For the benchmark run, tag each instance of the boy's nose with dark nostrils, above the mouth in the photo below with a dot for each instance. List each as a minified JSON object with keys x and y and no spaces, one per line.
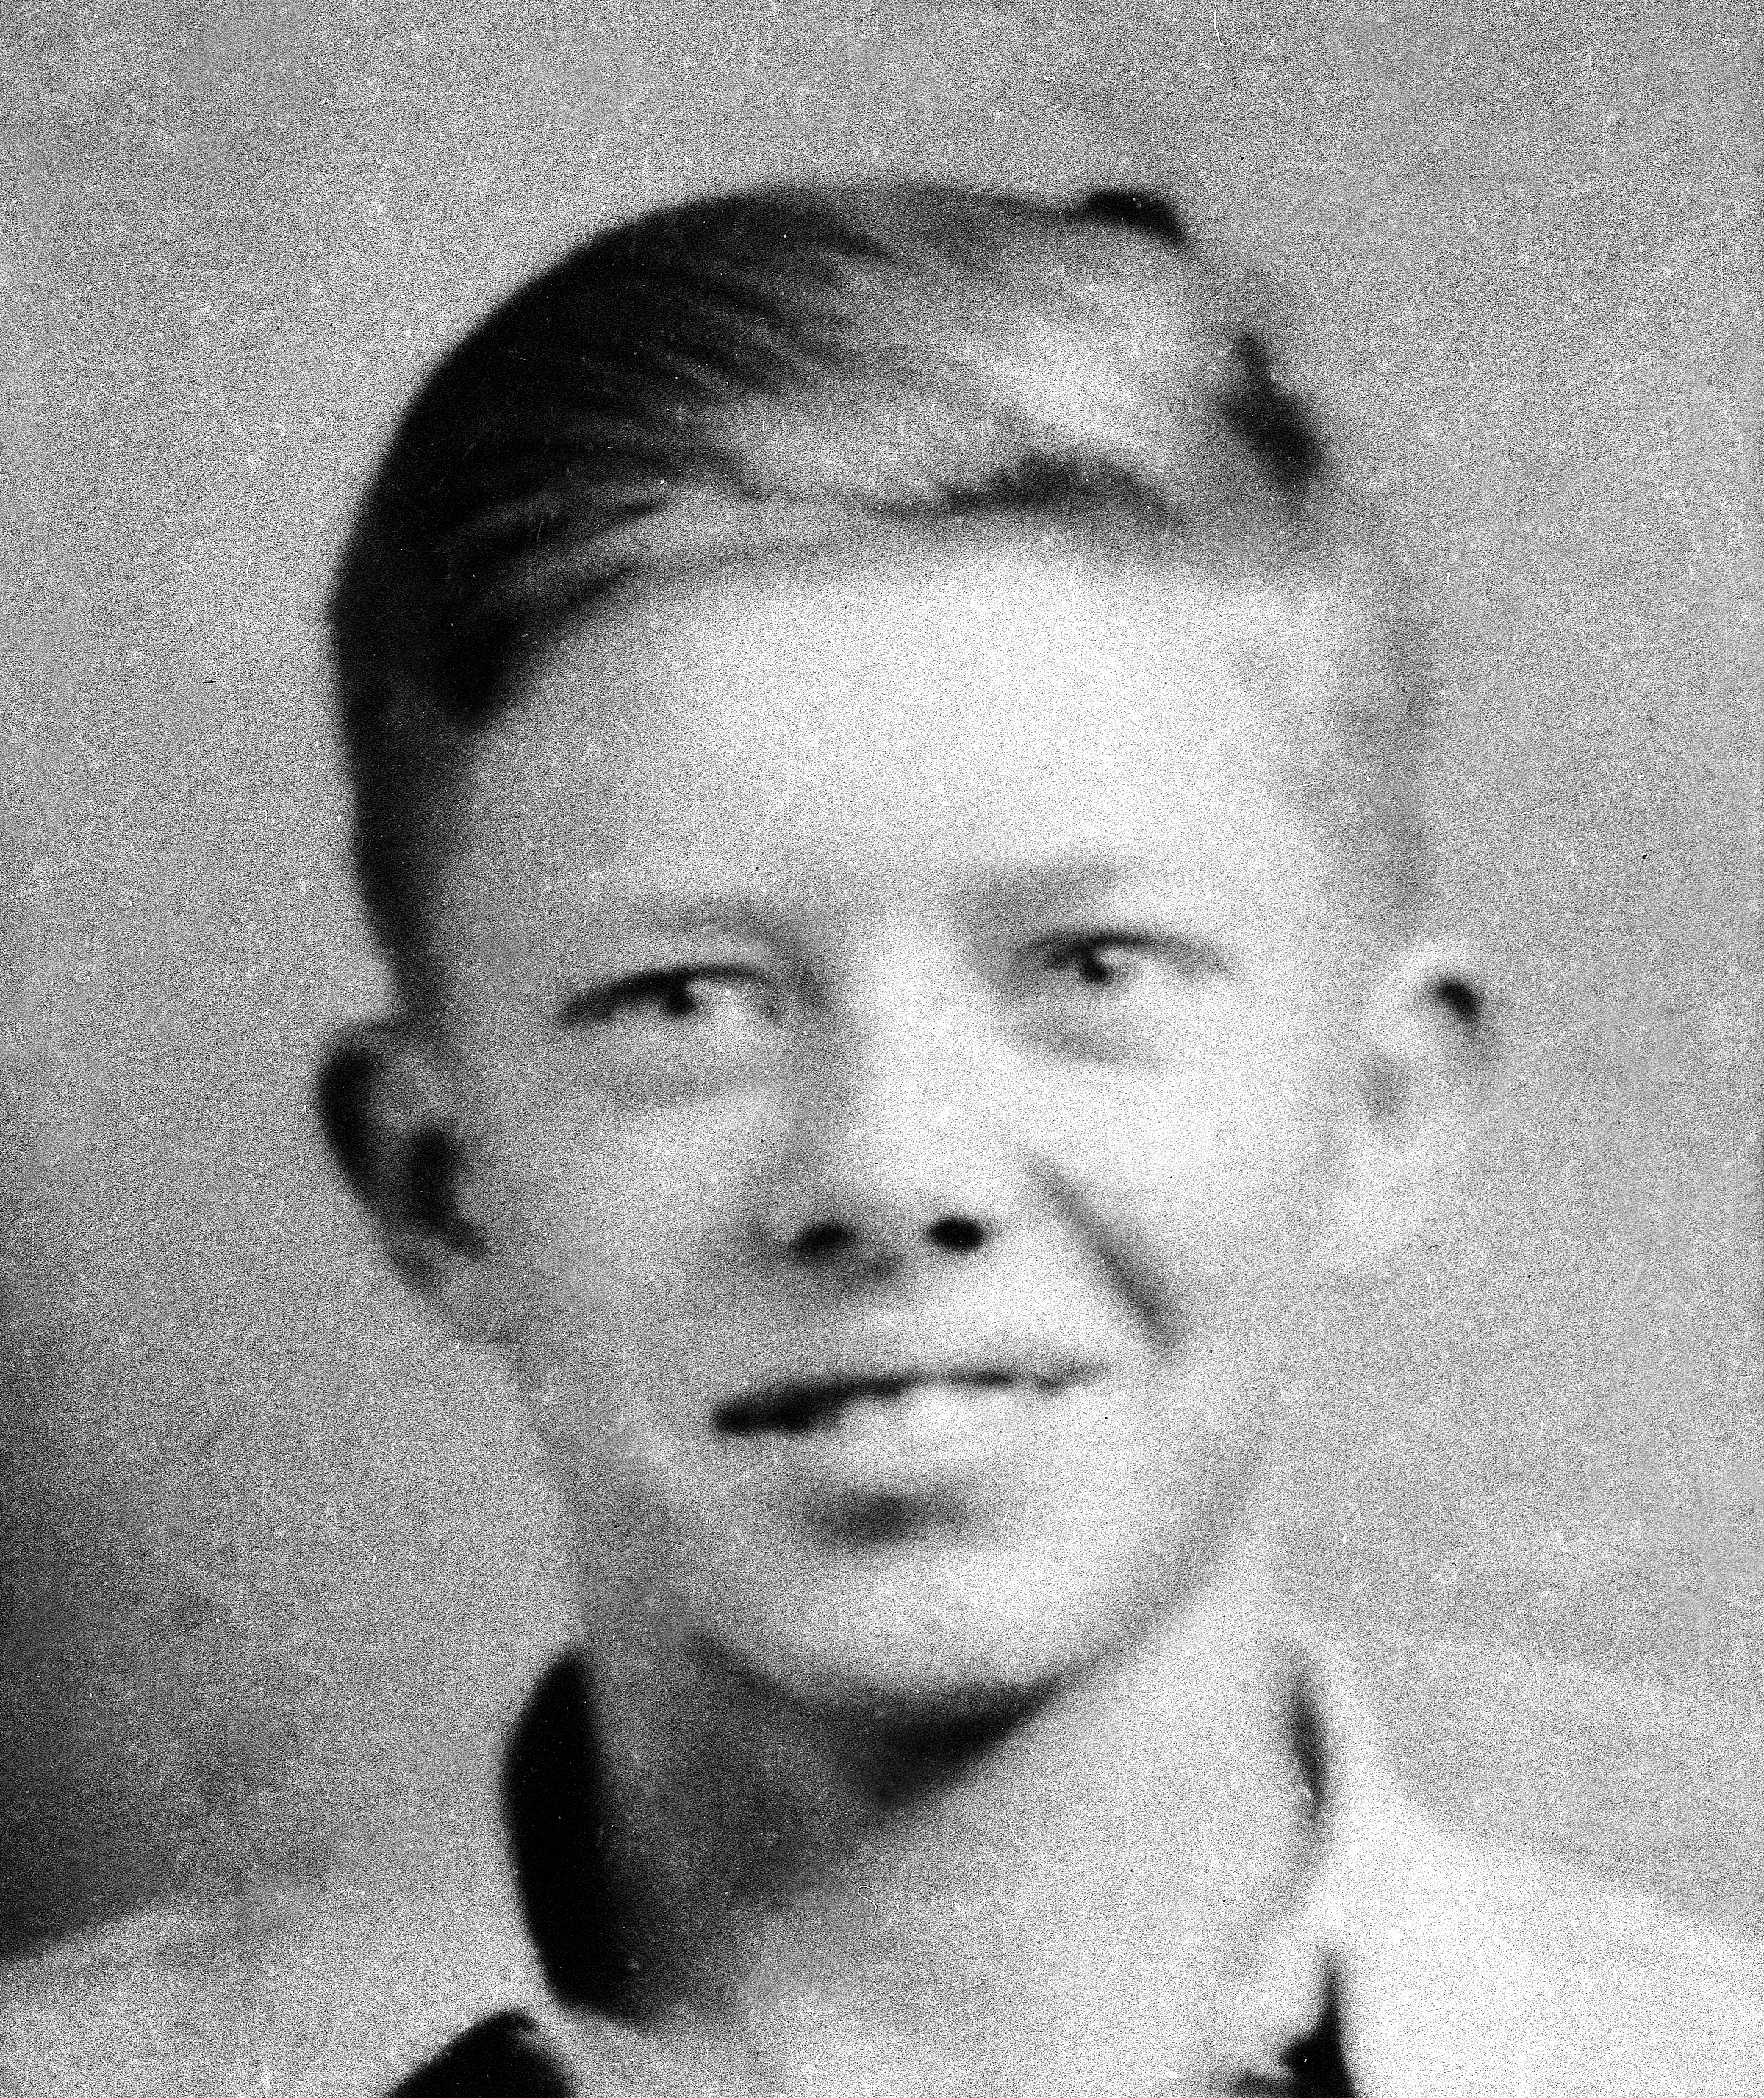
{"x":890,"y":1151}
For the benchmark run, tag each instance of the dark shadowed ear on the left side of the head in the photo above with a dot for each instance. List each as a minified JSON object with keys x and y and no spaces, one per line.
{"x":391,"y":1113}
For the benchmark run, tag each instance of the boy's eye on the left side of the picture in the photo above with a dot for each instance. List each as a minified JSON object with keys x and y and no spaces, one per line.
{"x":679,"y":1025}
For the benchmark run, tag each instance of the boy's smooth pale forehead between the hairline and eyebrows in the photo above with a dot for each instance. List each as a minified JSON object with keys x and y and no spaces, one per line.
{"x":926,"y":706}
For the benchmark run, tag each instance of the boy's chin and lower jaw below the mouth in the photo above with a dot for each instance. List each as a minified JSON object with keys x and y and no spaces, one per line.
{"x":941,"y":1600}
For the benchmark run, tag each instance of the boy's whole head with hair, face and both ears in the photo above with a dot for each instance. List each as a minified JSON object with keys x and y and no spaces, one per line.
{"x":886,"y":775}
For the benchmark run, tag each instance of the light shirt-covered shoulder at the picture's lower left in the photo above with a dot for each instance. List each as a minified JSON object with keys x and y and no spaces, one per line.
{"x":286,"y":1992}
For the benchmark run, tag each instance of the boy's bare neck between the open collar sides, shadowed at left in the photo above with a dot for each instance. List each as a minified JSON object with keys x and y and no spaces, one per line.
{"x":832,"y":1912}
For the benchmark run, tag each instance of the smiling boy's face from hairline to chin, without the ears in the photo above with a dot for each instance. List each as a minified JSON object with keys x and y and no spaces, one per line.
{"x":903,"y":1042}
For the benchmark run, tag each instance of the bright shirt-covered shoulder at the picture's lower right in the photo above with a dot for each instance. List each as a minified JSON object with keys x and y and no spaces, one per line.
{"x":1473,"y":1967}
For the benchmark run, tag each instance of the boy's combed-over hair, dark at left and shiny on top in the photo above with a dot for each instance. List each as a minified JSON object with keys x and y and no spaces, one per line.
{"x":775,"y":366}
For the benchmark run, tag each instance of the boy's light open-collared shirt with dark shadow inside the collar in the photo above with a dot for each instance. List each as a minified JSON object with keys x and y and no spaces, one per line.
{"x":1415,"y":1965}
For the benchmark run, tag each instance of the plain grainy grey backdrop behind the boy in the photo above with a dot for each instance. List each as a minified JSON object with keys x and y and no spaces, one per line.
{"x":276,"y":1566}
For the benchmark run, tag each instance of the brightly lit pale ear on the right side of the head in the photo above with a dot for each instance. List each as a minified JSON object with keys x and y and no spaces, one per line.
{"x":1423,"y":1054}
